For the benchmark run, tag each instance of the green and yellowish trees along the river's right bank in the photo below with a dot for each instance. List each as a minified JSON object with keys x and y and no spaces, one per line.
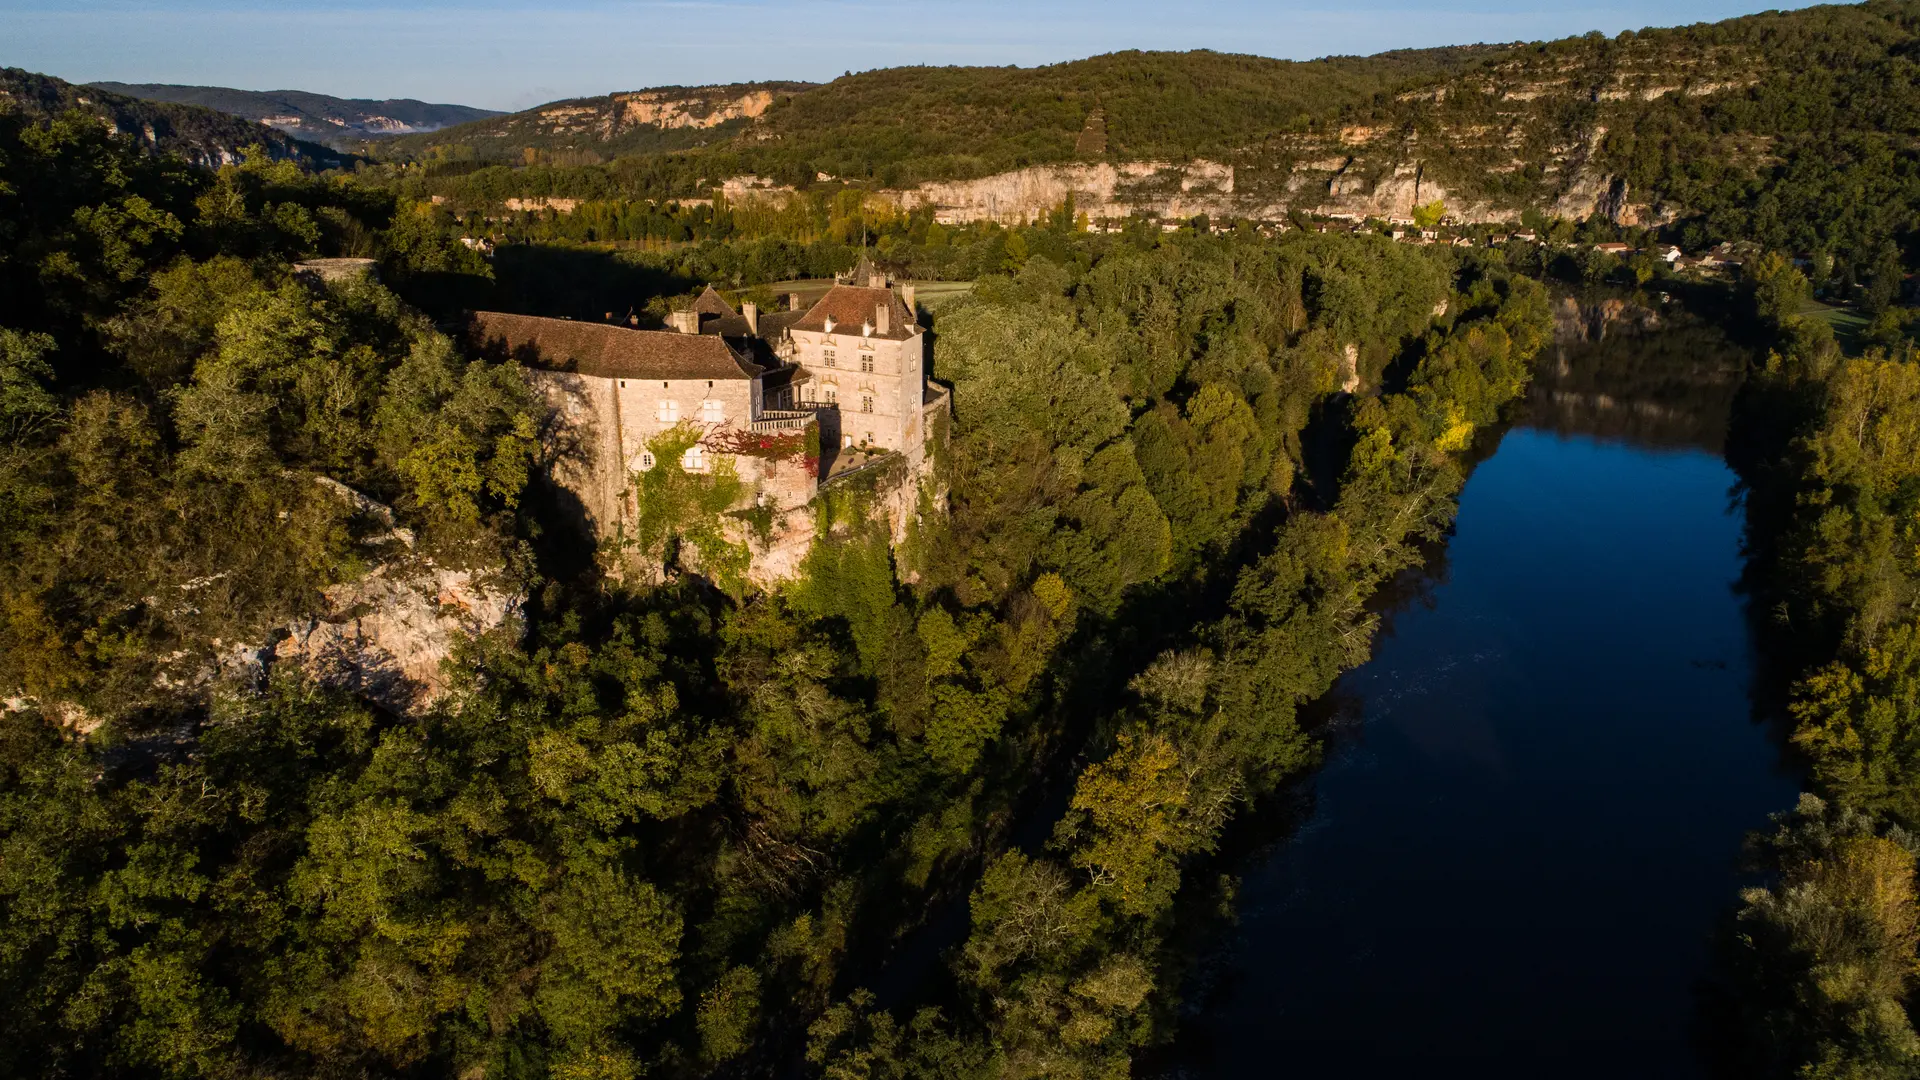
{"x":1821,"y":958}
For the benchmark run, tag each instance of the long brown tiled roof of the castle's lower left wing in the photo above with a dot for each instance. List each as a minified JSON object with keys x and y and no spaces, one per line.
{"x":606,"y":351}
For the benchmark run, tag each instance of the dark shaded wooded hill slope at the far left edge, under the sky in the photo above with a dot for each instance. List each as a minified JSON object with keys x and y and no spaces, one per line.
{"x":197,"y":134}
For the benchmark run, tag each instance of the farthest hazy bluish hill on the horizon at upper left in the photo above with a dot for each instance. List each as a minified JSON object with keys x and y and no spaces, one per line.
{"x":320,"y":118}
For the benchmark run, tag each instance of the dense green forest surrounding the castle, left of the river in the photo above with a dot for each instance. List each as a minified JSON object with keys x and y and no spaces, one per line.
{"x":665,"y":829}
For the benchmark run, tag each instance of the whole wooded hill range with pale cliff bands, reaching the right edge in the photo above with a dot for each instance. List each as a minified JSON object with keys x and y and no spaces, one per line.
{"x":1758,"y":126}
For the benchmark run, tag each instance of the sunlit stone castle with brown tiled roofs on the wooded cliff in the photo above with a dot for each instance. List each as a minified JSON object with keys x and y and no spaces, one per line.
{"x":790,"y":399}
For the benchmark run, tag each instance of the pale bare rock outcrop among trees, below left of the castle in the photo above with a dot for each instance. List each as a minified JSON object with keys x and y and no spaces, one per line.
{"x":387,"y":637}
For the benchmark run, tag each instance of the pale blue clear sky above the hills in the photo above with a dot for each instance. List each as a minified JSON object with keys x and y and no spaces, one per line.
{"x":514,"y":55}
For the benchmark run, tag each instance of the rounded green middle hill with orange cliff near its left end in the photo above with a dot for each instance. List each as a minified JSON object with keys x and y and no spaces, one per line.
{"x":913,"y":124}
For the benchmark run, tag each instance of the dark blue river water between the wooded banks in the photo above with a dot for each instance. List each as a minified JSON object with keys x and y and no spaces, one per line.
{"x":1531,"y":812}
